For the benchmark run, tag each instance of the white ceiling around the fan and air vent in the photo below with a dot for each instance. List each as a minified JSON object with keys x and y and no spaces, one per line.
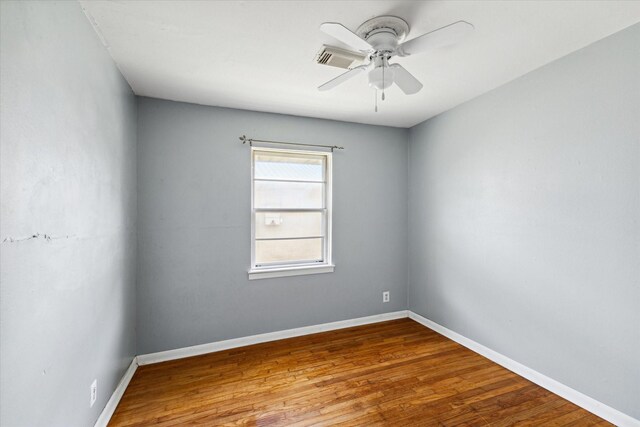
{"x":260,"y":55}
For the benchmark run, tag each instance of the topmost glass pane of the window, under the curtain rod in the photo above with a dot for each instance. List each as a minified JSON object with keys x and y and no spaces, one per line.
{"x":297,"y":167}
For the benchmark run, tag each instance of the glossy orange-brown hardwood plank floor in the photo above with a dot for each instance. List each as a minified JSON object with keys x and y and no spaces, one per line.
{"x":395,"y":373}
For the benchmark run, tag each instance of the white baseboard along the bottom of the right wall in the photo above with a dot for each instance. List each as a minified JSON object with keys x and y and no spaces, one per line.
{"x":598,"y":408}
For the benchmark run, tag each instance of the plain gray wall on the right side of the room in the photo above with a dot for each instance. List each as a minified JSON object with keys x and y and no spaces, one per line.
{"x":524,"y":220}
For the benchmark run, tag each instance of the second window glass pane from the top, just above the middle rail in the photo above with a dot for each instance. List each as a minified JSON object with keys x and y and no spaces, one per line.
{"x":292,"y":195}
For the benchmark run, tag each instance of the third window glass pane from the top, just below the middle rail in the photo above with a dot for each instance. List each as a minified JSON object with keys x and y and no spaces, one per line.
{"x":288,"y":224}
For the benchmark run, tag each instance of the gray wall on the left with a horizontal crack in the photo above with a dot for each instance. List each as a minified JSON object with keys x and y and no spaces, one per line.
{"x":68,"y":159}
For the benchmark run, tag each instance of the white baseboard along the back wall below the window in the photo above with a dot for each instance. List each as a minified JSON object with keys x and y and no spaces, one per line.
{"x":196,"y":350}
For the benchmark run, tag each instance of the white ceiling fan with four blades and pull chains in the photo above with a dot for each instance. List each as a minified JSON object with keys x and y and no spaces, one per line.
{"x":379,"y":39}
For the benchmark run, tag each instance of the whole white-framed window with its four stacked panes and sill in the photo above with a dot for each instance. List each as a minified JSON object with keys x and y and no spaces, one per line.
{"x":291,"y":212}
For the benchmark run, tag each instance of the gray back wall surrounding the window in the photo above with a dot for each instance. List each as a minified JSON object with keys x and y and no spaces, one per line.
{"x":194,"y":216}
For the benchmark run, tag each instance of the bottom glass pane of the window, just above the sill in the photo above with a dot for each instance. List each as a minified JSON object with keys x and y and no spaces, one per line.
{"x":274,"y":251}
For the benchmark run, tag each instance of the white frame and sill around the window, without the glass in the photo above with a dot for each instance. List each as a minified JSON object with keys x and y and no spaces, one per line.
{"x":295,"y":268}
